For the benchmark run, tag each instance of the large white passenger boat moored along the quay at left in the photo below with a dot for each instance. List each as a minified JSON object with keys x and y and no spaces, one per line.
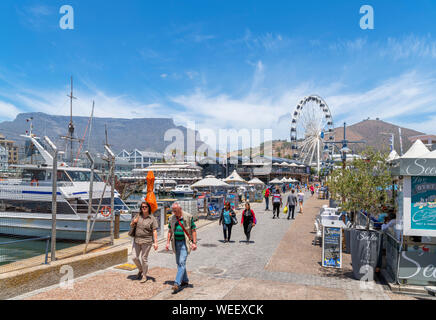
{"x":26,"y":201}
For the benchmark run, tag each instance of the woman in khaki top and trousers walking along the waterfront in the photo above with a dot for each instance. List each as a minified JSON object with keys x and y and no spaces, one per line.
{"x":144,"y":229}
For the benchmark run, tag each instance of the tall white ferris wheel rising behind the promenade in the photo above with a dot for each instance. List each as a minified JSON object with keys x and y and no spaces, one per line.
{"x":311,"y":128}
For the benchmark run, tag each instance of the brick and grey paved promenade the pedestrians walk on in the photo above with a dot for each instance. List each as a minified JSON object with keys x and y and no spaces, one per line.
{"x":280,"y":262}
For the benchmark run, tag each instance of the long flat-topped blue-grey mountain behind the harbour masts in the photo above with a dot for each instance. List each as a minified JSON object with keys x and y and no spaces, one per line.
{"x":143,"y":134}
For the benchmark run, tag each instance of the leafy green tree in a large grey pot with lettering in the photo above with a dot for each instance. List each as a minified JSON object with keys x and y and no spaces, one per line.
{"x":362,"y":187}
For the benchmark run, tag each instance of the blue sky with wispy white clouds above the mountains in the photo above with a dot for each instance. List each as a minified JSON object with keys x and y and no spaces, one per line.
{"x":223,"y":64}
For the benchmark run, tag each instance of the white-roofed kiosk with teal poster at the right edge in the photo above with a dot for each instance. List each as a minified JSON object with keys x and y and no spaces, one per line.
{"x":411,"y":241}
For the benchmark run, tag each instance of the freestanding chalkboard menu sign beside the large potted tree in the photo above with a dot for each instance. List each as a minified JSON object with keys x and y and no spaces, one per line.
{"x":332,"y":247}
